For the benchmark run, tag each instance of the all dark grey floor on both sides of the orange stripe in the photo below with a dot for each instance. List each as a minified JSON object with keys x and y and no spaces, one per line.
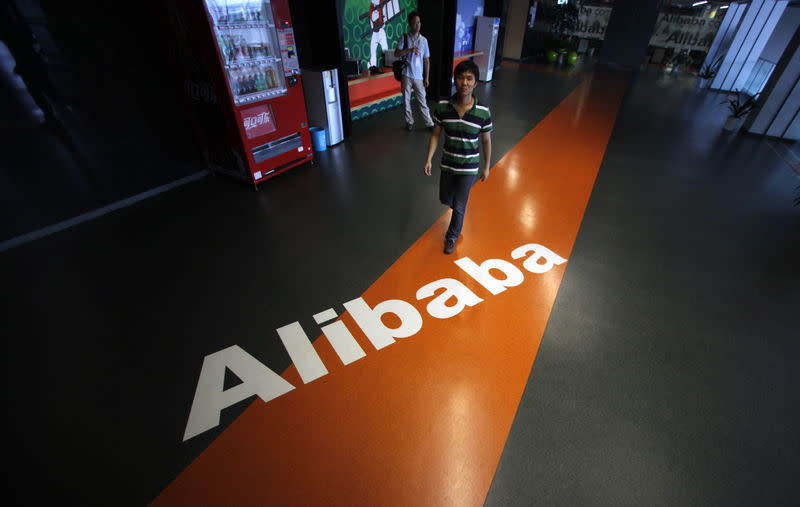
{"x":664,"y":377}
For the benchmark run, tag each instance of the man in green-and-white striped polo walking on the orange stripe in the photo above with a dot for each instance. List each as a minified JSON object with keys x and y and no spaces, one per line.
{"x":467,"y":124}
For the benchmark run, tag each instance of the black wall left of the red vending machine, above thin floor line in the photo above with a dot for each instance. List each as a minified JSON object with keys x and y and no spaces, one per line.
{"x":113,"y":123}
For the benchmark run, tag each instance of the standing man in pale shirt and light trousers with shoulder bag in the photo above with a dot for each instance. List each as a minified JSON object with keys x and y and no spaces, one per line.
{"x":413,"y":46}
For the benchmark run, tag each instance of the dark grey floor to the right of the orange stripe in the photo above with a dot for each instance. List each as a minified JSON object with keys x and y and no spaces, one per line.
{"x":668,"y":373}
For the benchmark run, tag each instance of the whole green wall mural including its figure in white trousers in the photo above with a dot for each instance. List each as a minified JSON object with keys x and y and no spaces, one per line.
{"x":373,"y":26}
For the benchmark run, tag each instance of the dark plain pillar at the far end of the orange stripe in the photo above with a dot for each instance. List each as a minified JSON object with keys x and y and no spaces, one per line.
{"x":629,"y":30}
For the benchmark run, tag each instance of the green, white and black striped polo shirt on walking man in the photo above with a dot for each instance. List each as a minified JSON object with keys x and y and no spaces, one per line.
{"x":462,"y":135}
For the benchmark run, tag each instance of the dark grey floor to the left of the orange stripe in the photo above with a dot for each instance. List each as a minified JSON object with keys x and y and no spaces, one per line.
{"x":109,"y":321}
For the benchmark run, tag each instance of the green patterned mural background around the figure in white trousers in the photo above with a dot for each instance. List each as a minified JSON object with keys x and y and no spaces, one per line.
{"x":358,"y":31}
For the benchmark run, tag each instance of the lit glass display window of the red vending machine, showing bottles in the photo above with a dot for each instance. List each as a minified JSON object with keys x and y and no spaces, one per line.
{"x":247,"y":40}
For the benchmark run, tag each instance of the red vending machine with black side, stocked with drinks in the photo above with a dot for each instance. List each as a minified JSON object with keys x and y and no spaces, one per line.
{"x":241,"y":78}
